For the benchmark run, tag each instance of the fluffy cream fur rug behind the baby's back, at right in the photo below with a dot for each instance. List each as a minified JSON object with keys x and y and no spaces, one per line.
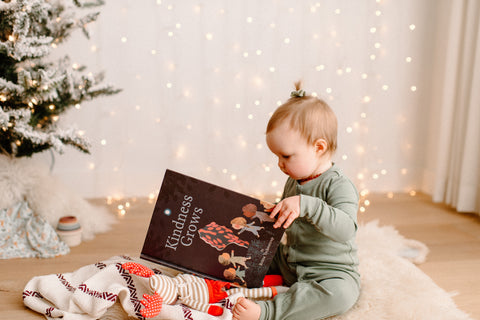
{"x":393,"y":288}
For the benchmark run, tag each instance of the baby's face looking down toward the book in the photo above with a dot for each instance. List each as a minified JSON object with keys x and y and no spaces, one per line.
{"x":296,"y":157}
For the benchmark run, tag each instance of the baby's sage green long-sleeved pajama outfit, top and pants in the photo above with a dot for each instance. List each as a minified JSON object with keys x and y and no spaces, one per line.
{"x":319,"y":261}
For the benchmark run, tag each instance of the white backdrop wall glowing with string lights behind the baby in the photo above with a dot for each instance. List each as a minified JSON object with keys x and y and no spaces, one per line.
{"x":201,"y":78}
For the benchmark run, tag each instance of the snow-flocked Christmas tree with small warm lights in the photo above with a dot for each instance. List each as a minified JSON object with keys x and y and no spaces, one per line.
{"x":34,"y":92}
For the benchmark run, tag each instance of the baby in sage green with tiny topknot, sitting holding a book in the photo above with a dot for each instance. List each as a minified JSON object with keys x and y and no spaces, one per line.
{"x":319,"y":212}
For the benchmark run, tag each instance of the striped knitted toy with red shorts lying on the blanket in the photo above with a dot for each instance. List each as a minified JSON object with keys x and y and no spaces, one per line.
{"x":192,"y":291}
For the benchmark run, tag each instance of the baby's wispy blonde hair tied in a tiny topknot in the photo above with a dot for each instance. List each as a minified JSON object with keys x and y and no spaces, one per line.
{"x":311,"y":116}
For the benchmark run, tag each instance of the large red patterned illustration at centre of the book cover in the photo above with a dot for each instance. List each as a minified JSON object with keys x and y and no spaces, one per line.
{"x":220,"y":237}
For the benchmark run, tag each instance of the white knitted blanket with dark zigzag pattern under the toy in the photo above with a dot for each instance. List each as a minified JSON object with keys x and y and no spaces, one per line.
{"x":89,"y":292}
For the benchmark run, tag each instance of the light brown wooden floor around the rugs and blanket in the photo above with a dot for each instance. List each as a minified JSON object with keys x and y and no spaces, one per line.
{"x":453,"y":238}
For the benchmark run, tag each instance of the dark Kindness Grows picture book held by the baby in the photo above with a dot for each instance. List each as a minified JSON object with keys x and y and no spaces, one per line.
{"x":207,"y":230}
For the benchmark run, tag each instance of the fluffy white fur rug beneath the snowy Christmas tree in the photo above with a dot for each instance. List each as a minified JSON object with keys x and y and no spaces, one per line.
{"x":25,"y":178}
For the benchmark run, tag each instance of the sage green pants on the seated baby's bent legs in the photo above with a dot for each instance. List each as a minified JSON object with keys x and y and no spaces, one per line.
{"x":311,"y":296}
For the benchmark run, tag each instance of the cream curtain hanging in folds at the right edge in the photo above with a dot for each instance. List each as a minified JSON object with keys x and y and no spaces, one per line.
{"x":453,"y":169}
